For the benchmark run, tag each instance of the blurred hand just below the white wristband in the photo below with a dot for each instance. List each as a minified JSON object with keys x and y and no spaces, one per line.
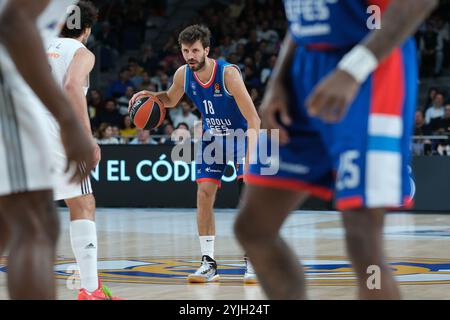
{"x":332,"y":96}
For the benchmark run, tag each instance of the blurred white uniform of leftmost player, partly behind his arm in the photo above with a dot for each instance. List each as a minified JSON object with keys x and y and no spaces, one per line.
{"x":24,"y":144}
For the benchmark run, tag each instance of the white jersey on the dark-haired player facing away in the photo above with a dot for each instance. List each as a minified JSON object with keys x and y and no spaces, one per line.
{"x":61,"y":52}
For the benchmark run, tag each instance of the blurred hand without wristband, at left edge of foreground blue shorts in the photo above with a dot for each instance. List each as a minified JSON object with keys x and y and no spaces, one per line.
{"x":275,"y":102}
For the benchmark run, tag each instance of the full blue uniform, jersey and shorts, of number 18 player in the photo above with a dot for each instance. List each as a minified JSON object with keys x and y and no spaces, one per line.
{"x":222,"y":119}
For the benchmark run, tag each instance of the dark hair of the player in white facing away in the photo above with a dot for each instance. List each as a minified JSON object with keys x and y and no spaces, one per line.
{"x":88,"y":16}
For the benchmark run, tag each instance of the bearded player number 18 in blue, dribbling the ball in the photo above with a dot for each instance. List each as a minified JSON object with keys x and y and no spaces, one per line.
{"x":217,"y":89}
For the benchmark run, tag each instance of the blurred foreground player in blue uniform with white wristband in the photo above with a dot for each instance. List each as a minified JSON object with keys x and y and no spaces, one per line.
{"x":343,"y":97}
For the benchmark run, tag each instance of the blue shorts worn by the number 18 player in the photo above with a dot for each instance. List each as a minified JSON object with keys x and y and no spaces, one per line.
{"x":212,"y":170}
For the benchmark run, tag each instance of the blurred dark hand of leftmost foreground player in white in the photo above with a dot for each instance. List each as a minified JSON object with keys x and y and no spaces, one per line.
{"x":80,"y":150}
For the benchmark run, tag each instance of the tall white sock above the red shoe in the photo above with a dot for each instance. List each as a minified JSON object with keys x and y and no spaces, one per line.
{"x":83,"y":237}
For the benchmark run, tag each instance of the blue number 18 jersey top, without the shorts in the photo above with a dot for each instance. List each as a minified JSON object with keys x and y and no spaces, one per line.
{"x":220,"y":112}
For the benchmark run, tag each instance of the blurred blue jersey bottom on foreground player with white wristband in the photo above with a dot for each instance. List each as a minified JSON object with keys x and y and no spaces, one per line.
{"x":330,"y":23}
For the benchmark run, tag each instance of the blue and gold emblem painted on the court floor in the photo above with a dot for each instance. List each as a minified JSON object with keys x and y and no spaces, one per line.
{"x":319,"y":271}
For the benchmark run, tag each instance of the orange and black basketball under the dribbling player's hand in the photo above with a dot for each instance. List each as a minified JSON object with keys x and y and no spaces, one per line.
{"x":147,"y":113}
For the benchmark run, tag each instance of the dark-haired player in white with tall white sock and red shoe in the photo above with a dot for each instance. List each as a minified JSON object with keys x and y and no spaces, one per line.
{"x":71,"y":63}
